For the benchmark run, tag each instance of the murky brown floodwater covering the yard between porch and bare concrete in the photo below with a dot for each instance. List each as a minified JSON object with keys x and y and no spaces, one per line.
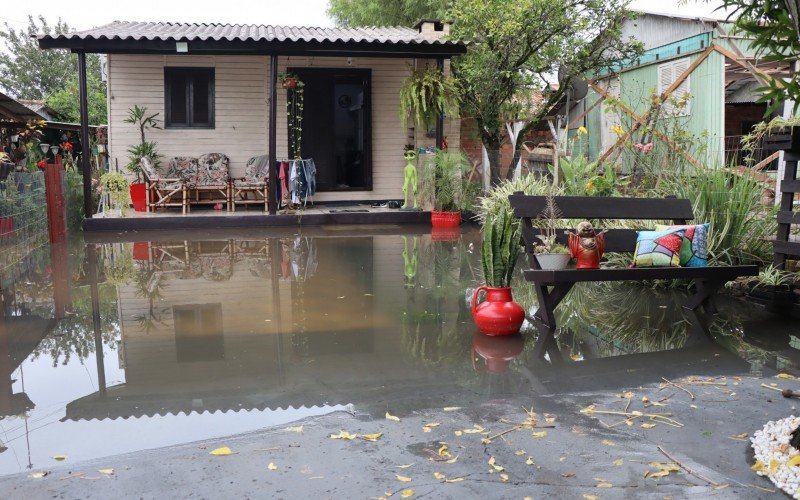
{"x":117,"y":346}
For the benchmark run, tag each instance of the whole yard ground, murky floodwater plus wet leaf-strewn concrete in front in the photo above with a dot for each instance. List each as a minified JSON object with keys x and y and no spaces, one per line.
{"x":142,"y":356}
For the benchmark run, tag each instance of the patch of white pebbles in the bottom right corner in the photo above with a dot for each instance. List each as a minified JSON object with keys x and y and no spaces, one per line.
{"x":772,"y":449}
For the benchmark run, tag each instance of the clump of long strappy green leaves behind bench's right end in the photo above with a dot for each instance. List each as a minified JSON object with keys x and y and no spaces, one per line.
{"x":731,"y":203}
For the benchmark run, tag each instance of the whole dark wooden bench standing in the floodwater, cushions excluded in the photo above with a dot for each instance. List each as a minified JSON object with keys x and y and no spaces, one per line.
{"x":552,"y":286}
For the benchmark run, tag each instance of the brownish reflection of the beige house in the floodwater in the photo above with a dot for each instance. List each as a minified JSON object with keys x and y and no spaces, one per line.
{"x":266,"y":323}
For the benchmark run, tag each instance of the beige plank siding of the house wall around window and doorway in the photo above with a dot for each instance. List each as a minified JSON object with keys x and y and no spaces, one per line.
{"x":241,"y":128}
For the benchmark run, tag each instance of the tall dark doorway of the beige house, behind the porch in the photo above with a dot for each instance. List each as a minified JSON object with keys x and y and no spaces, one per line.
{"x":337,"y":126}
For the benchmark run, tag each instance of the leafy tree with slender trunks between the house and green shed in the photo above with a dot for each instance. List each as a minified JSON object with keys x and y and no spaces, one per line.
{"x":516,"y":49}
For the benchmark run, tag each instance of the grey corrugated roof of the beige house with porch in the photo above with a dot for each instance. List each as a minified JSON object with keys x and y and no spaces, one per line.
{"x":130,"y":30}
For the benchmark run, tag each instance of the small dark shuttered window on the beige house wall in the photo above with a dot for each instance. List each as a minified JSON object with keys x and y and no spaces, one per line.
{"x":189,"y":97}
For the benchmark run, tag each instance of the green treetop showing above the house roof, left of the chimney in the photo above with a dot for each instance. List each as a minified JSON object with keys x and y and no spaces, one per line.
{"x":385,"y":12}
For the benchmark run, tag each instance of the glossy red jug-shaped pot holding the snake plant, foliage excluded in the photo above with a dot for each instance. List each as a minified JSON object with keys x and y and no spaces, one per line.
{"x":499,"y":314}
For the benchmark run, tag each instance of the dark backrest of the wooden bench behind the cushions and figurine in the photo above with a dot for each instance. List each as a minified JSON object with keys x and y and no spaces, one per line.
{"x":528,"y":208}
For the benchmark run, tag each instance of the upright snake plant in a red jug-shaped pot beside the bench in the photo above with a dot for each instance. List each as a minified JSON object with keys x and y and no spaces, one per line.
{"x":499,"y":314}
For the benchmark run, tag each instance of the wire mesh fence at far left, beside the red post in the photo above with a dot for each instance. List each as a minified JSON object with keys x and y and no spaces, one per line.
{"x":23,"y":220}
